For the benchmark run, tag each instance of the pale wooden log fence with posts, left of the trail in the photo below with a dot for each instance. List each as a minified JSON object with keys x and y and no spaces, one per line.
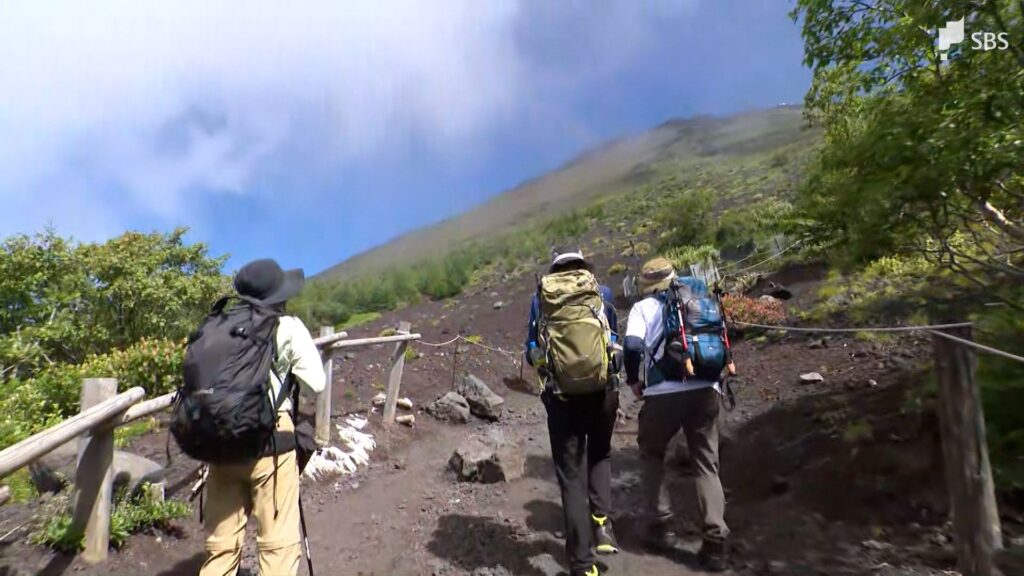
{"x":103,"y":409}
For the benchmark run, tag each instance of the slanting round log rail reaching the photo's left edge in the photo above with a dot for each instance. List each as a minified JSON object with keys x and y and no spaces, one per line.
{"x":31,"y":449}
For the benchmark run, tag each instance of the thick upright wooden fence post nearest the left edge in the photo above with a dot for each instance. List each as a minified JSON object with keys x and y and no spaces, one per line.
{"x":95,"y":476}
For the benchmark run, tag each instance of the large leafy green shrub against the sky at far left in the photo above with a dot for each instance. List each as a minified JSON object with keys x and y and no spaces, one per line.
{"x":61,"y":303}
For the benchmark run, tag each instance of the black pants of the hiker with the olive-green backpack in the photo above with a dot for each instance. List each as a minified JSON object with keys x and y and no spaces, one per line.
{"x":581,"y":429}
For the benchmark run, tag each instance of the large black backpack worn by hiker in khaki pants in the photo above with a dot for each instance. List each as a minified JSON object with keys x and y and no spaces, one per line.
{"x":224,"y":413}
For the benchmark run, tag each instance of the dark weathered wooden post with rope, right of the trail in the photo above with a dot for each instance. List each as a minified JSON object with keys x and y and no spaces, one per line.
{"x":969,"y":476}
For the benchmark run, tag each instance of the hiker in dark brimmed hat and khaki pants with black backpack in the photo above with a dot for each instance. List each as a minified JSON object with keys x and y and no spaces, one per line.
{"x":259,"y":476}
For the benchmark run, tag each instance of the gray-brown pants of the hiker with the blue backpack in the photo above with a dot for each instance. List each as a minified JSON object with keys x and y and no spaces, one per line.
{"x":696,"y":413}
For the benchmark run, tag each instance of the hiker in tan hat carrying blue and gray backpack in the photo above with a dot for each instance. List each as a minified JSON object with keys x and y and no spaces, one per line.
{"x":681,"y":391}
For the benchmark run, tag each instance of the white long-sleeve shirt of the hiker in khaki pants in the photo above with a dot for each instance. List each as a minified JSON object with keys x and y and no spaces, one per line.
{"x":296,"y":354}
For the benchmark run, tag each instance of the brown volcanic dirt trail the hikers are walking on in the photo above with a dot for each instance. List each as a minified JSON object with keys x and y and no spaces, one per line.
{"x":839,"y":478}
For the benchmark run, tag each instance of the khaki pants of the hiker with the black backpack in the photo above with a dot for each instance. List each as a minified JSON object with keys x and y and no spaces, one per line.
{"x":235,"y":491}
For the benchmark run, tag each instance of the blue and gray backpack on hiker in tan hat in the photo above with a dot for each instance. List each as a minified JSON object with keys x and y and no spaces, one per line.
{"x":695,"y":331}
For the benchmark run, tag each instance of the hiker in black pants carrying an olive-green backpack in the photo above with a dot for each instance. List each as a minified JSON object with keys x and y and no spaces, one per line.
{"x":581,"y":396}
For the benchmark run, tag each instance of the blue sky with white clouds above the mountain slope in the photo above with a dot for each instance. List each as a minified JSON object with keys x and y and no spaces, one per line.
{"x":312,"y":132}
